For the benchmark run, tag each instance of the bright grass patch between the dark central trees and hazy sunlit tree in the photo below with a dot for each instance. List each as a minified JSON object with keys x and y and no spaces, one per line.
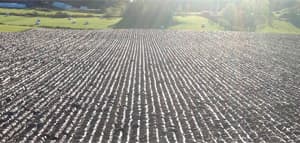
{"x":195,"y":23}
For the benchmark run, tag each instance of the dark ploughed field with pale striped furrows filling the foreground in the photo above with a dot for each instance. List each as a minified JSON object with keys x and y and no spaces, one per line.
{"x":149,"y":86}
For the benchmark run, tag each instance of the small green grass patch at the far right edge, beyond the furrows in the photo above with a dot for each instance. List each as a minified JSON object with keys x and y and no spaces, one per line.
{"x":279,"y":27}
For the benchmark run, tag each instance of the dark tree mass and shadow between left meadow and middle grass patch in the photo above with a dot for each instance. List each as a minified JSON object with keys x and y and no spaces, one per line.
{"x":147,"y":14}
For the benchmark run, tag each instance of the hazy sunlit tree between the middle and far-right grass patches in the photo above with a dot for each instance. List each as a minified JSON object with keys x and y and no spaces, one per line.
{"x":246,"y":14}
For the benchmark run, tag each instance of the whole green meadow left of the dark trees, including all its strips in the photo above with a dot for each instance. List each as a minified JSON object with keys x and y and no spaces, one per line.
{"x":13,"y":19}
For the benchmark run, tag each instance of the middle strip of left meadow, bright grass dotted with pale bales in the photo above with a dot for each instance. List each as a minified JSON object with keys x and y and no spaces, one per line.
{"x":94,"y":23}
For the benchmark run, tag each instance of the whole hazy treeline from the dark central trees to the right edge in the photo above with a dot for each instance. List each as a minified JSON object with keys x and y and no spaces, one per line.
{"x":231,"y":14}
